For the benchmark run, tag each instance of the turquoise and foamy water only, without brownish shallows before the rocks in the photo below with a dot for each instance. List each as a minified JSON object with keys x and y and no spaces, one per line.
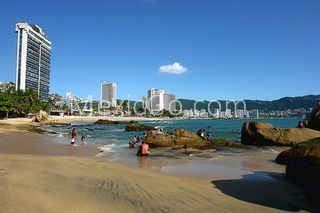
{"x":116,"y":139}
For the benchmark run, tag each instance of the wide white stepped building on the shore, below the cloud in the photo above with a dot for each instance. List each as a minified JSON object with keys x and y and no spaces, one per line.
{"x":158,"y":100}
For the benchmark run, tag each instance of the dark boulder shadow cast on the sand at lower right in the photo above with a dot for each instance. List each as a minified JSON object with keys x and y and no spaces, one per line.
{"x":266,"y":189}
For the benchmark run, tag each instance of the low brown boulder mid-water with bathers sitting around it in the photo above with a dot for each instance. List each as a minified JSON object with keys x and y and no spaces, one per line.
{"x":179,"y":137}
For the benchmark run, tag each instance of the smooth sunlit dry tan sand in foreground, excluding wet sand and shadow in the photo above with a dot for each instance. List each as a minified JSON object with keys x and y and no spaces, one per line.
{"x":31,"y":183}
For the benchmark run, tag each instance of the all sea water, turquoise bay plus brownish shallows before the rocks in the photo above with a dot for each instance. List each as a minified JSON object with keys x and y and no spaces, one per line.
{"x":111,"y":142}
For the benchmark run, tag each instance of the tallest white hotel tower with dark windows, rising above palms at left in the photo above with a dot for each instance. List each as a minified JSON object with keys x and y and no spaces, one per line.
{"x":33,"y":59}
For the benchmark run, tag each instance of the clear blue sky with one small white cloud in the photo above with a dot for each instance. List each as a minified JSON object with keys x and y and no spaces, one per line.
{"x":196,"y":49}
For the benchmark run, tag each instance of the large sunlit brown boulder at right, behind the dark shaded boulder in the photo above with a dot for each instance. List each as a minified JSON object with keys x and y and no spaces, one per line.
{"x":264,"y":134}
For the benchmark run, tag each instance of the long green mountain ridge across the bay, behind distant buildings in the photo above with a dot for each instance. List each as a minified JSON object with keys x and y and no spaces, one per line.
{"x":281,"y":104}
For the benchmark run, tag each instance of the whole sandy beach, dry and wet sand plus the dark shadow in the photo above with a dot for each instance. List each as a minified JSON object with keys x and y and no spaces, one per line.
{"x":37,"y":175}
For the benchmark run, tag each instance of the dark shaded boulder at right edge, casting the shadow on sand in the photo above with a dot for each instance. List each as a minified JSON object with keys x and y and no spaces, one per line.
{"x":303,"y":166}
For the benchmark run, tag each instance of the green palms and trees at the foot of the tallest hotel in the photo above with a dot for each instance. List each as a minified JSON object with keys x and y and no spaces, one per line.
{"x":18,"y":103}
